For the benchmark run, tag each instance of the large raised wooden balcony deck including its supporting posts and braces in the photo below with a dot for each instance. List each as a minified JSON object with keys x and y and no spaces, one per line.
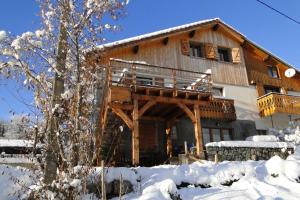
{"x":136,"y":92}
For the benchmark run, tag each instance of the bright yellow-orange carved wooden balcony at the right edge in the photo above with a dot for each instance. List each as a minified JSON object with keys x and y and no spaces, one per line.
{"x":272,"y":103}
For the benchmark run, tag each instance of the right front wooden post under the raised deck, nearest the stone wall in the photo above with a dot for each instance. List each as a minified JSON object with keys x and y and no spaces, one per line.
{"x":198,"y":131}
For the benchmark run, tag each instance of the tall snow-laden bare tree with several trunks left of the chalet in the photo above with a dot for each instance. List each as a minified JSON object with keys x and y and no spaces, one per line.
{"x":51,"y":61}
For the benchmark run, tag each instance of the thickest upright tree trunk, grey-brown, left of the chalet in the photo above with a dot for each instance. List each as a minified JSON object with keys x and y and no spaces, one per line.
{"x":51,"y":159}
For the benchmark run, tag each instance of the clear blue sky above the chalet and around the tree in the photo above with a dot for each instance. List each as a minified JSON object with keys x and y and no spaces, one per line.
{"x":260,"y":24}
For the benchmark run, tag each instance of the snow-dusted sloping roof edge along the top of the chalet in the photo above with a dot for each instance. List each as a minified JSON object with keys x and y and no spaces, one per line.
{"x":182,"y":28}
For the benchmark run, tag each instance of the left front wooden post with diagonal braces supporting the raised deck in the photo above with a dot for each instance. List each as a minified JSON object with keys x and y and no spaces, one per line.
{"x":135,"y":134}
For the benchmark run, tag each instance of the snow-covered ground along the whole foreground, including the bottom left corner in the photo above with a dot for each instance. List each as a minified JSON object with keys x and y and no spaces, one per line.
{"x":272,"y":179}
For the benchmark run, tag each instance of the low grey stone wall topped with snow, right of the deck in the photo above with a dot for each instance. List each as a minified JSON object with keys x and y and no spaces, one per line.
{"x":246,"y":153}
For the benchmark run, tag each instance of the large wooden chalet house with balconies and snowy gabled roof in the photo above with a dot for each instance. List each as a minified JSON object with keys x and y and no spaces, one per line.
{"x":200,"y":82}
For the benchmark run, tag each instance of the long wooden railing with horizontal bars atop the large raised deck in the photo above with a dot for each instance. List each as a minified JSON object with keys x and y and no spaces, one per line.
{"x":139,"y":74}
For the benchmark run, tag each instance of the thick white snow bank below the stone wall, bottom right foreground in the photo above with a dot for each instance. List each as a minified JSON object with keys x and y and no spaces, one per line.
{"x":272,"y":179}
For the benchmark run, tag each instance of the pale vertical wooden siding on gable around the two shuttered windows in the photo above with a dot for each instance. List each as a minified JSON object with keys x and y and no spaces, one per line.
{"x":170,"y":55}
